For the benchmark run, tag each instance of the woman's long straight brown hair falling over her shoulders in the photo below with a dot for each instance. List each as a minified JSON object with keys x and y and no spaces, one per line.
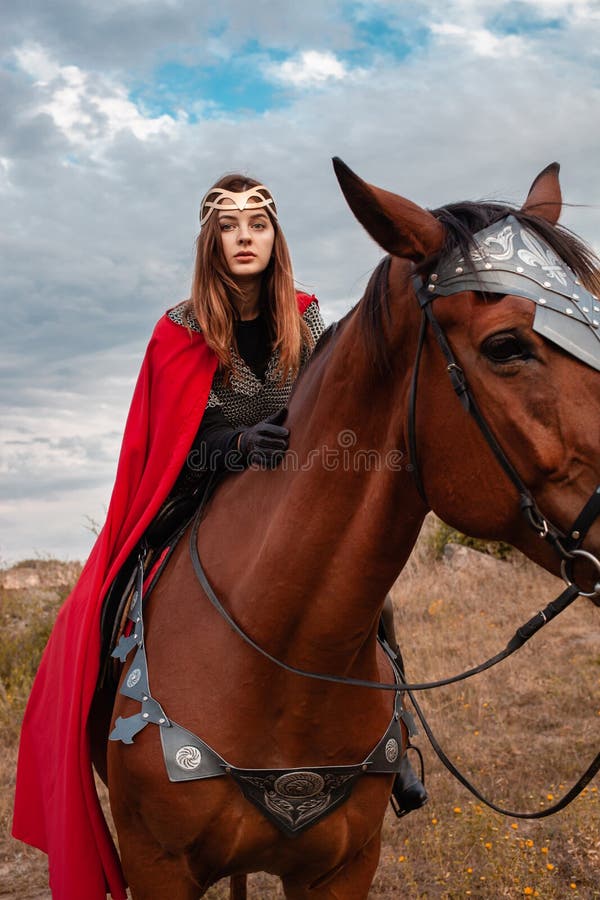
{"x":213,"y":286}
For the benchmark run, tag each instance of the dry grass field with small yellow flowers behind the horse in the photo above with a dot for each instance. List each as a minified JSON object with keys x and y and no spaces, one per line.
{"x":522,"y":732}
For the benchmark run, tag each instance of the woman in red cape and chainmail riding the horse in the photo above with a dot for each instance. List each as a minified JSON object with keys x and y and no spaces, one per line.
{"x":210,"y":397}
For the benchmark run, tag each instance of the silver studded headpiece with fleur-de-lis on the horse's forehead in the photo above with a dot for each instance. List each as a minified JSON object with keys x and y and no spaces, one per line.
{"x":510,"y":259}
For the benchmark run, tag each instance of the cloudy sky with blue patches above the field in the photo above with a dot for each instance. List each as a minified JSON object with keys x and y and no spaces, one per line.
{"x":116,"y":115}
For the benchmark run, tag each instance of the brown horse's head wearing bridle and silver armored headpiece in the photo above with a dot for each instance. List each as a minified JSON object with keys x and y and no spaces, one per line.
{"x":509,"y":302}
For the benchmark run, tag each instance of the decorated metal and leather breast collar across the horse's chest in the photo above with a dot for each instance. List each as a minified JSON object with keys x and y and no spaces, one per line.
{"x":292,"y":798}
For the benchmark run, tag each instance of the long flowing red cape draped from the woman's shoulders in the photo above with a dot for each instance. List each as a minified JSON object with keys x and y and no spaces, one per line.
{"x":56,"y":805}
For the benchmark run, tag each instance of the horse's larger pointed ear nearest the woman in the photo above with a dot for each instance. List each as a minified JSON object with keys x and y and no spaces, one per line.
{"x":399,"y":226}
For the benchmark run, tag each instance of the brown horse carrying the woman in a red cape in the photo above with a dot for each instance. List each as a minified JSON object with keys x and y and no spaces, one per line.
{"x":302,"y":557}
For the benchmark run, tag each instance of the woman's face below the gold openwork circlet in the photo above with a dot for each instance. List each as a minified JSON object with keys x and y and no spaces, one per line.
{"x":247,"y":238}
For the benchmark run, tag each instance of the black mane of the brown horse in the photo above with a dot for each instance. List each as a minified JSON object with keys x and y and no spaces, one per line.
{"x":461,"y":222}
